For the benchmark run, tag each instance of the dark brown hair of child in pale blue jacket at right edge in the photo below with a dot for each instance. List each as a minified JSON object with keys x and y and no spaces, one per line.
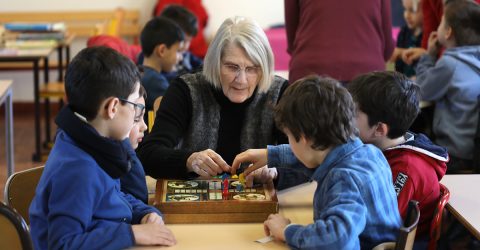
{"x":463,"y":16}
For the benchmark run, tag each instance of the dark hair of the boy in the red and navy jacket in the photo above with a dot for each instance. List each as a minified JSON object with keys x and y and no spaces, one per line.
{"x":388,"y":97}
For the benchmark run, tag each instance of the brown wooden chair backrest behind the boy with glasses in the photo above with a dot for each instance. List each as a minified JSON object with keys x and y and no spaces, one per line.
{"x":20,"y":189}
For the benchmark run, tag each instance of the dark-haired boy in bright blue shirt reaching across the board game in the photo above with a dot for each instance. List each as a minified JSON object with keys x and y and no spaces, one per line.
{"x":354,"y":203}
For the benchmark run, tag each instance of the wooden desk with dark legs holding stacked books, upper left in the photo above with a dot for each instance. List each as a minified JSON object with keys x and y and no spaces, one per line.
{"x":34,"y":56}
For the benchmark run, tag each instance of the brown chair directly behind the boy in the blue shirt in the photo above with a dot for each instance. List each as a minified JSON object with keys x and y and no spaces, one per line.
{"x":406,"y":236}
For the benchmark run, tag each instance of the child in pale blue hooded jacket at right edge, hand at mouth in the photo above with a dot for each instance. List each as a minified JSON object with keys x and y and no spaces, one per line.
{"x":452,"y":81}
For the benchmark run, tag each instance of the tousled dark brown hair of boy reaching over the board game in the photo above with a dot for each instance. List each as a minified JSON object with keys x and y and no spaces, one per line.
{"x":319,"y":109}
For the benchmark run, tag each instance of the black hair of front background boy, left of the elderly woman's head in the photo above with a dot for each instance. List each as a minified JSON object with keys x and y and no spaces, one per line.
{"x":159,"y":30}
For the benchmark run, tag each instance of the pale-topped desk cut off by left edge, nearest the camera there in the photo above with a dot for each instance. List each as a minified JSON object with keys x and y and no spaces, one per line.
{"x":6,"y":99}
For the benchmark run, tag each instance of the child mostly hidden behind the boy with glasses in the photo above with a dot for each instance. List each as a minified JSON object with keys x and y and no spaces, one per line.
{"x":134,"y":182}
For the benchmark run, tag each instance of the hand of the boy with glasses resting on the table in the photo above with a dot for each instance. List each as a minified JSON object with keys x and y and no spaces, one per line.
{"x":153,"y":234}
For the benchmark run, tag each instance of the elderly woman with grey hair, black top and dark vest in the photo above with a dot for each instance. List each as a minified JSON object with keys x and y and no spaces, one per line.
{"x":207,"y":118}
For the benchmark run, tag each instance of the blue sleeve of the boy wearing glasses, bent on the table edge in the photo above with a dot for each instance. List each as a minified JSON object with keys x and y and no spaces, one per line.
{"x":71,"y":204}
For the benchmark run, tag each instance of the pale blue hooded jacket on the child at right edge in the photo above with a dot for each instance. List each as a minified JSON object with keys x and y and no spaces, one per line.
{"x":453,"y":83}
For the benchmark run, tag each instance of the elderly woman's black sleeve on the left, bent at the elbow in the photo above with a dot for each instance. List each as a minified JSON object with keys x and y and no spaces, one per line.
{"x":157,"y":152}
